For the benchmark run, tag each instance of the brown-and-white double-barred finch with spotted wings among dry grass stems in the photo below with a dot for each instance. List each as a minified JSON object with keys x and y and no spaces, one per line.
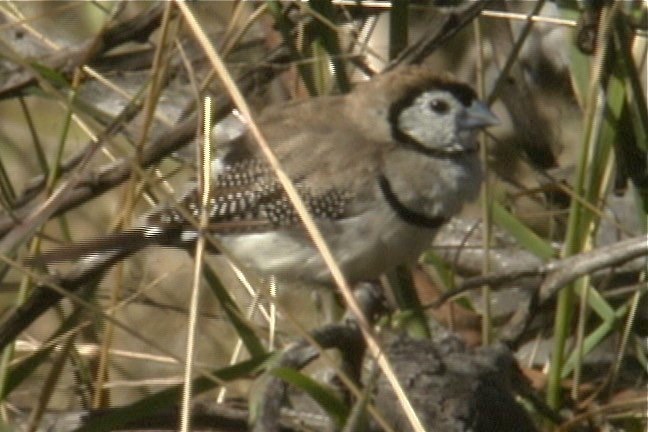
{"x":380,"y":169}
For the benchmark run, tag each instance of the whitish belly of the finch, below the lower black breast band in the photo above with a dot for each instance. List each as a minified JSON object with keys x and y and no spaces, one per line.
{"x":364,"y":247}
